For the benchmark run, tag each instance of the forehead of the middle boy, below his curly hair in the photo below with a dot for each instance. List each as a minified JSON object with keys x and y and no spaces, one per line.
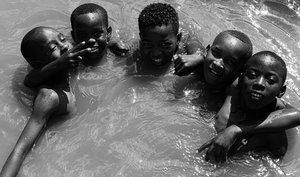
{"x":157,"y":32}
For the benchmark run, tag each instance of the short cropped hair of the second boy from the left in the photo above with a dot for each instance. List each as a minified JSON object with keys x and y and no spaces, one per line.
{"x":89,"y":8}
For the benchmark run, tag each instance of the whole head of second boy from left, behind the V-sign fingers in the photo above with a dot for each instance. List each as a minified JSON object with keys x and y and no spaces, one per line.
{"x":90,"y":21}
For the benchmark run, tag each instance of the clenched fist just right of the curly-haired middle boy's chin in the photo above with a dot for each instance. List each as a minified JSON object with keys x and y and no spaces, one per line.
{"x":186,"y":64}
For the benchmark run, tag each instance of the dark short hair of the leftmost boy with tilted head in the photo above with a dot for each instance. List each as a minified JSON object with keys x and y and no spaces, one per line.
{"x":29,"y":45}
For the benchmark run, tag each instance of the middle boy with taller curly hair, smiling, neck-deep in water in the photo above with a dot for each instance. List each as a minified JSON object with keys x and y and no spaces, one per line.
{"x":160,"y":40}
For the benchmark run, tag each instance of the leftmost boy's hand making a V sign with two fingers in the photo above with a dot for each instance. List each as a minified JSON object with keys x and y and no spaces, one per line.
{"x":72,"y":57}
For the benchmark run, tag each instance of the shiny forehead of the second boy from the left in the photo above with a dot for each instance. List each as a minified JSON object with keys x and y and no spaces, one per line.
{"x":89,"y":19}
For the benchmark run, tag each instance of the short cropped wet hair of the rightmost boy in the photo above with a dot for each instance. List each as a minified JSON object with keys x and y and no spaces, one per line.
{"x":278,"y":60}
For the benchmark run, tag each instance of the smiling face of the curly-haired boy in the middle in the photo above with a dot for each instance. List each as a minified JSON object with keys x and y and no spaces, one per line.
{"x":158,"y":44}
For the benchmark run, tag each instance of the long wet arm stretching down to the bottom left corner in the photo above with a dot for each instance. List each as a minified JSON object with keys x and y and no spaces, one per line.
{"x":45,"y":103}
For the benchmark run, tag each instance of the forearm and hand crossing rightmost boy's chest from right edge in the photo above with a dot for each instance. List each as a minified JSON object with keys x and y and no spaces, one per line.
{"x":277,"y":121}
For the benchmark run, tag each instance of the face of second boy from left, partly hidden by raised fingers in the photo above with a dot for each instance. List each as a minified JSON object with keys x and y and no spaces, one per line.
{"x":91,"y":25}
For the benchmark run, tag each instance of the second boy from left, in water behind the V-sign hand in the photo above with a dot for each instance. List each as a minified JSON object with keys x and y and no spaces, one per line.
{"x":90,"y":22}
